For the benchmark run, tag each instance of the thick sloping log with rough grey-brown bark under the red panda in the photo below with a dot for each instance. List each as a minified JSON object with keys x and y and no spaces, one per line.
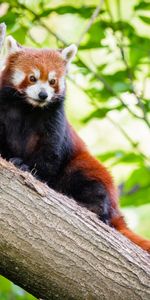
{"x":57,"y":250}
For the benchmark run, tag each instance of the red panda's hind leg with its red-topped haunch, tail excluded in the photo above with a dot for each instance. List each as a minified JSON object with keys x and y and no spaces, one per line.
{"x":89,"y":183}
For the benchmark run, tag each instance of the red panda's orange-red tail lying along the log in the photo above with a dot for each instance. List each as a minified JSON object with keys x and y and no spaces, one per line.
{"x":119,"y":223}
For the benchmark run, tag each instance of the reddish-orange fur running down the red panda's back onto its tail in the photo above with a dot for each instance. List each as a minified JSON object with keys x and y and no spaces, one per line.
{"x":95,"y":170}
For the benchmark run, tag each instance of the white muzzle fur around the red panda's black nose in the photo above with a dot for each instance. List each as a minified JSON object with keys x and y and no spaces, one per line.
{"x":34,"y":90}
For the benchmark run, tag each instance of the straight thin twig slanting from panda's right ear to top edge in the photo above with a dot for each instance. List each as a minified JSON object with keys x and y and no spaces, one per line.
{"x":91,"y":21}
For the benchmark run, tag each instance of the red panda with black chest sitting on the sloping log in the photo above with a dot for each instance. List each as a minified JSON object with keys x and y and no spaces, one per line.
{"x":35,"y":134}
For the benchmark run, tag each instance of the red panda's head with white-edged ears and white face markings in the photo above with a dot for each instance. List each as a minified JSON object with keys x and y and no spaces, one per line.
{"x":37,"y":74}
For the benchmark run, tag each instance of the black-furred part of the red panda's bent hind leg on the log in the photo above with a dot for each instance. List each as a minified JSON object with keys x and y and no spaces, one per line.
{"x":88,"y":192}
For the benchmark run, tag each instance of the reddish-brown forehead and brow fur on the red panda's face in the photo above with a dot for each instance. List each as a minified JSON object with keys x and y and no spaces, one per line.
{"x":27,"y":60}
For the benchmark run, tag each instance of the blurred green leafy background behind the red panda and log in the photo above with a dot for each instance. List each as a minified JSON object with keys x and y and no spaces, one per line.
{"x":108,"y":88}
